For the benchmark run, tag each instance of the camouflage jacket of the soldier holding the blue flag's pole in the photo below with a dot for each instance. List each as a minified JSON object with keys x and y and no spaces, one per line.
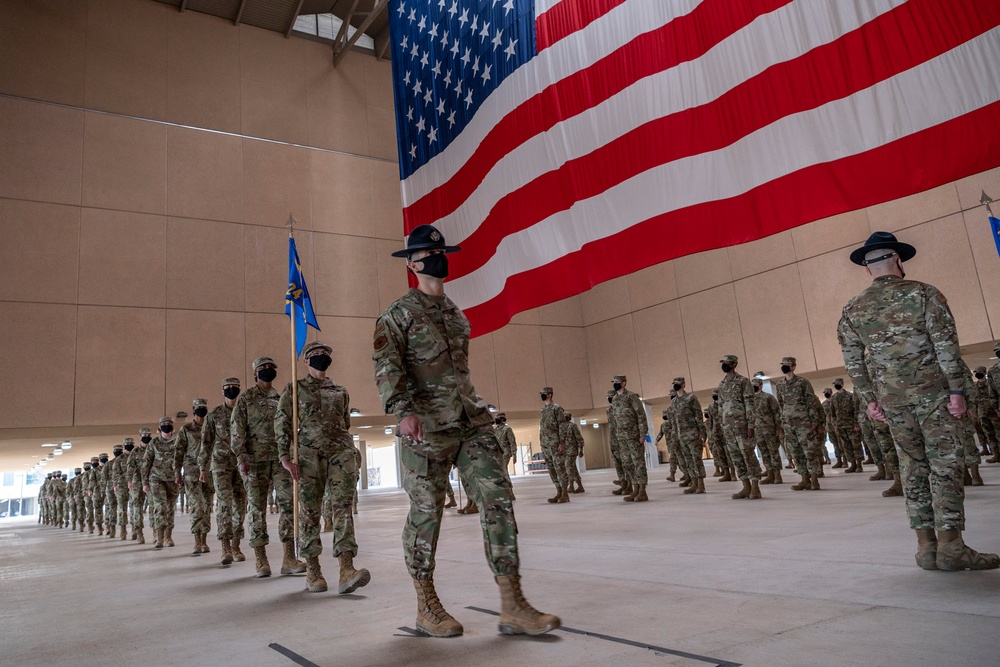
{"x":324,"y":417}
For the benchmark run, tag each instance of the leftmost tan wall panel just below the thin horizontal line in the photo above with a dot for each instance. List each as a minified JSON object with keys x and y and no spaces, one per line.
{"x":42,"y":149}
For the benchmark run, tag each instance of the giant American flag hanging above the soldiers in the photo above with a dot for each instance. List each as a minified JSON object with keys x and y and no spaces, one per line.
{"x":563,"y":143}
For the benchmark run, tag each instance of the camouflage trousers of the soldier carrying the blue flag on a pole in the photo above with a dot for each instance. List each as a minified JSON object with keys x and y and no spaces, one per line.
{"x":336,"y":469}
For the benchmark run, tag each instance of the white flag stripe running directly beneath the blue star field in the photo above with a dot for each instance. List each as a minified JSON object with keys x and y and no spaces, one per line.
{"x":580,"y":50}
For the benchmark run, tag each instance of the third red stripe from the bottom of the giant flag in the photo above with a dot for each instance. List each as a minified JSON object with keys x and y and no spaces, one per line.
{"x":683,"y":39}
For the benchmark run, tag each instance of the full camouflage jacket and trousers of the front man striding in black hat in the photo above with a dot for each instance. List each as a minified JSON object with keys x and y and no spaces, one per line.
{"x":421,"y":359}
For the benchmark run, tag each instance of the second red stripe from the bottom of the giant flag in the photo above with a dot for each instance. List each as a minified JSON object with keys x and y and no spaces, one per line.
{"x":906,"y":36}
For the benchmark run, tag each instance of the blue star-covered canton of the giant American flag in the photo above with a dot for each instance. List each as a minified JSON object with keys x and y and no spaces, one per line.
{"x":447,"y":57}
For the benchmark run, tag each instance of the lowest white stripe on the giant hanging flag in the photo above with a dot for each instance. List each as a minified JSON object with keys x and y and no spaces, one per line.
{"x":932,"y":93}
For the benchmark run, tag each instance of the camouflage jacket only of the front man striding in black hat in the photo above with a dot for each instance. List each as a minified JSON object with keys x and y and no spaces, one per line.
{"x":421,"y":358}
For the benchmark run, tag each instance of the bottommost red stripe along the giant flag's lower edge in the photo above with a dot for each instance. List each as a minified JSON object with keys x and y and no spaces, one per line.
{"x":908,"y":165}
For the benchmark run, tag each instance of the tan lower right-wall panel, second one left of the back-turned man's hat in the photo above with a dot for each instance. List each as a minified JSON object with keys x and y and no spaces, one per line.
{"x":774,"y":323}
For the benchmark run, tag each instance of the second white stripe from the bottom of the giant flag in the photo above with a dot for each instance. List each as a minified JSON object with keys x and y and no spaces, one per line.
{"x":779,"y":37}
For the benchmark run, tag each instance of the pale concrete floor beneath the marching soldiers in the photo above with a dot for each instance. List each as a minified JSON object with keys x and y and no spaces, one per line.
{"x":797,"y":578}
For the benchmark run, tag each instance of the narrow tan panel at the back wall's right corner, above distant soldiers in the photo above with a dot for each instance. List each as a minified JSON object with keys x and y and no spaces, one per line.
{"x":564,"y":353}
